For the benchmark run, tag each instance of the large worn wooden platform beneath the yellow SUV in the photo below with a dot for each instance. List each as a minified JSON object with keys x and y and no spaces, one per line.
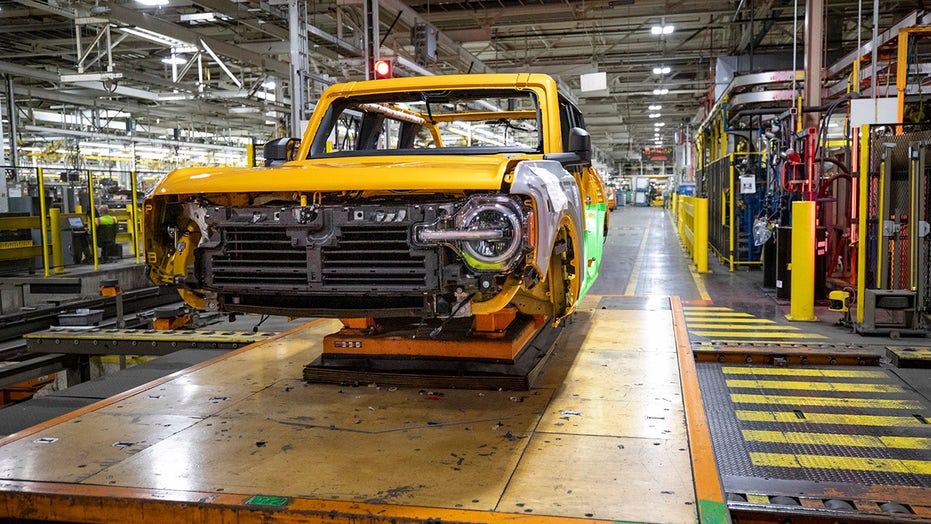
{"x":600,"y":437}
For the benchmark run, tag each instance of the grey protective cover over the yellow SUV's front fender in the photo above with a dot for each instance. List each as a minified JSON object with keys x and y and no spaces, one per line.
{"x":555,"y":195}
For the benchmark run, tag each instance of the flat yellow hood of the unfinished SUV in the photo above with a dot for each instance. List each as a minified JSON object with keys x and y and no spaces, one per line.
{"x":377,"y":173}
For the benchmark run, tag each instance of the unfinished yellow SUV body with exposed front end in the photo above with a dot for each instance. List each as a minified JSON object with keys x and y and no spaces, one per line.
{"x":427,"y":197}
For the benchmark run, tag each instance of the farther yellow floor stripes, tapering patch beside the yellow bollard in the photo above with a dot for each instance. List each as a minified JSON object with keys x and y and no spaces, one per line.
{"x":725,"y":324}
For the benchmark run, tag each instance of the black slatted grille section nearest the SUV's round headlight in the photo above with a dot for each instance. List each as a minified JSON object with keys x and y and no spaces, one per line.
{"x":373,"y":258}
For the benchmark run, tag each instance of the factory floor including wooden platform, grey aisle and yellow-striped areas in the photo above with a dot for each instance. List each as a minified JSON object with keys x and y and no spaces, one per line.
{"x":664,"y":387}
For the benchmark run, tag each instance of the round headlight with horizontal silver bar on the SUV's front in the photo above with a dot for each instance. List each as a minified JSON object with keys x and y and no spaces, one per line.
{"x":488,"y":232}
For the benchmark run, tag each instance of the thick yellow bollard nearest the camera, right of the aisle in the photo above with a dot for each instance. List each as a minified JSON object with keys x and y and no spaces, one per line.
{"x":802,"y":301}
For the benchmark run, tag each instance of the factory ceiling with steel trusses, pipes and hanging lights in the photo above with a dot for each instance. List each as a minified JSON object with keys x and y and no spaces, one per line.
{"x":212,"y":70}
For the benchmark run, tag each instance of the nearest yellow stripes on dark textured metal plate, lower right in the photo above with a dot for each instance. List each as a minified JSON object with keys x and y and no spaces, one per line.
{"x":786,"y":409}
